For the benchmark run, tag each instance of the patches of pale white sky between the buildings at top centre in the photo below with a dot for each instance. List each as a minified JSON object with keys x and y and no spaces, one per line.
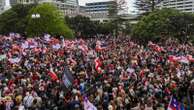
{"x":130,"y":3}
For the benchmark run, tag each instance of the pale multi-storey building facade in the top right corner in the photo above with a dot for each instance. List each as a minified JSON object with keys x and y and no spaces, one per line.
{"x":182,"y":5}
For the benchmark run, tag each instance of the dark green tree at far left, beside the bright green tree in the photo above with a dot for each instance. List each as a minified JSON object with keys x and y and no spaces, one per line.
{"x":14,"y":19}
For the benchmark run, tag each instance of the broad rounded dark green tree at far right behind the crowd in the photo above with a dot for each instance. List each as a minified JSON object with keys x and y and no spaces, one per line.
{"x":165,"y":22}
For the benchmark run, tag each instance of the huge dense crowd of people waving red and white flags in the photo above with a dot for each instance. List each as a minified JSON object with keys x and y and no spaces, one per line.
{"x":108,"y":74}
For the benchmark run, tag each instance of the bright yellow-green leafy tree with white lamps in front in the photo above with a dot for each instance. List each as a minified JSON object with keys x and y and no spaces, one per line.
{"x":49,"y":21}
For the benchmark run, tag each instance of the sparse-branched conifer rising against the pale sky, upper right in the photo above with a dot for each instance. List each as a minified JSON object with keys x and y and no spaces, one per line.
{"x":145,"y":6}
